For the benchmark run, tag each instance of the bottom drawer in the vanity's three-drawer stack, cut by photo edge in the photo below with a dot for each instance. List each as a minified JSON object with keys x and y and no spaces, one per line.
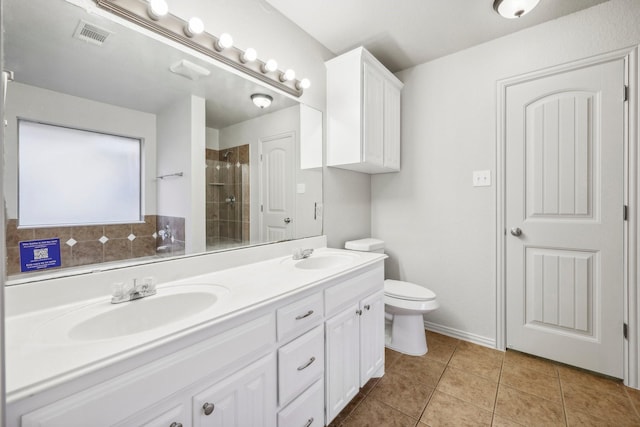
{"x":307,"y":410}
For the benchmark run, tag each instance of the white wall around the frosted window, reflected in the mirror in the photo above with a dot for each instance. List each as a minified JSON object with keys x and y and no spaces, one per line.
{"x":33,"y":103}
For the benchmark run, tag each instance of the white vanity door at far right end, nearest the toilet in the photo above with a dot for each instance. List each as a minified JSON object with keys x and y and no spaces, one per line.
{"x":371,"y":336}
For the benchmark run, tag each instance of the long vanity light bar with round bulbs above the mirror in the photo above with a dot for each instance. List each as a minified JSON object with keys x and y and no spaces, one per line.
{"x":220,"y":49}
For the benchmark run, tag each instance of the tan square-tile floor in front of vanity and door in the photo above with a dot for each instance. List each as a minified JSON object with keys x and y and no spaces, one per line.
{"x":461,"y":384}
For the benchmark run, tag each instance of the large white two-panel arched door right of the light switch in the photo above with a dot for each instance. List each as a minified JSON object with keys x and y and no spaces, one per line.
{"x":564,"y":216}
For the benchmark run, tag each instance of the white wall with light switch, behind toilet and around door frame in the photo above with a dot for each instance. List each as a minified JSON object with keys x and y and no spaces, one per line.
{"x":440,"y":231}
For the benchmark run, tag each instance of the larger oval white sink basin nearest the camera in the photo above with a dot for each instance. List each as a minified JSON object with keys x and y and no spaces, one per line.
{"x":171,"y":306}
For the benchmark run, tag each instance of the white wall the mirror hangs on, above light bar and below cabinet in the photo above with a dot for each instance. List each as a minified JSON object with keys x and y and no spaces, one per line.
{"x":254,"y":23}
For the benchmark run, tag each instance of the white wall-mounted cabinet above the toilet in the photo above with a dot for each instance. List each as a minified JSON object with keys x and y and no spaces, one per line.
{"x":363,"y":114}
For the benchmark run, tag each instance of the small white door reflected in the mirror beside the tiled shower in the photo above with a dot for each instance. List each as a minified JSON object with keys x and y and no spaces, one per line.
{"x":277,"y":187}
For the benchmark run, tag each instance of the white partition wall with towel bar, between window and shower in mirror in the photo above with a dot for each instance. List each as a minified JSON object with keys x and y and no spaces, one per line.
{"x":181,"y":145}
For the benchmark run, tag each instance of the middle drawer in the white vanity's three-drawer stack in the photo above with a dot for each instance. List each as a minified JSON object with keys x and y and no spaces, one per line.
{"x":300,"y":363}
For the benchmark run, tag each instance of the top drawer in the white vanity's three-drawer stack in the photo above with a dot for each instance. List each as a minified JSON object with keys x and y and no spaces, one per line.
{"x":300,"y":316}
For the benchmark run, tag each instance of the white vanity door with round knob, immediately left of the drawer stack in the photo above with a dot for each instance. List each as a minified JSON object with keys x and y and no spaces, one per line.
{"x":245,"y":399}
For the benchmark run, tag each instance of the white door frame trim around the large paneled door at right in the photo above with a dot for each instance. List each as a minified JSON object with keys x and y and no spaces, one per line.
{"x":631,"y":191}
